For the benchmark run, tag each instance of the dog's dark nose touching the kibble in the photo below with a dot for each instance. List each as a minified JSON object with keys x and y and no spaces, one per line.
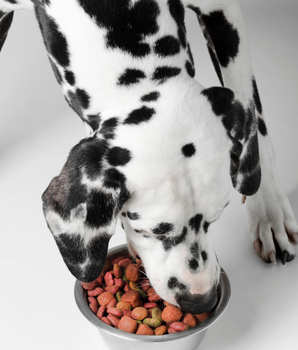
{"x":197,"y":303}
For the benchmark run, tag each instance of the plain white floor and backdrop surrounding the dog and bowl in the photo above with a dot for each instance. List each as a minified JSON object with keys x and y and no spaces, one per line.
{"x":37,"y":130}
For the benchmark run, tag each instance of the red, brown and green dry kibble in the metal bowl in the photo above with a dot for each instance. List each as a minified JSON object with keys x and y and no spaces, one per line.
{"x":123,"y":298}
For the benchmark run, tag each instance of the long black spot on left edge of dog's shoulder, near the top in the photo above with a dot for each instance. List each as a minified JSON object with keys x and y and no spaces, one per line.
{"x":54,"y":40}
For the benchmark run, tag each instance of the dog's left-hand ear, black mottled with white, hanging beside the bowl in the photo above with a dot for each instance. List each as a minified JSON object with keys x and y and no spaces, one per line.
{"x":80,"y":206}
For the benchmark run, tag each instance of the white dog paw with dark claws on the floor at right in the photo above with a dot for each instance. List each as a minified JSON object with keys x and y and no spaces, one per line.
{"x":272,"y":225}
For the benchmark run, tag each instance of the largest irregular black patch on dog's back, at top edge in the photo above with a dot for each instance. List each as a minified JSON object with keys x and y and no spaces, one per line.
{"x":127,"y":24}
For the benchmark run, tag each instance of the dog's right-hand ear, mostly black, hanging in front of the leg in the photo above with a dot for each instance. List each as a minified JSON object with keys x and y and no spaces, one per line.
{"x":241,"y":128}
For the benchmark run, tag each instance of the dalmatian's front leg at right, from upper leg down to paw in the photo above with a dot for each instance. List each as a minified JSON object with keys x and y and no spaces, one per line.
{"x":271,"y":222}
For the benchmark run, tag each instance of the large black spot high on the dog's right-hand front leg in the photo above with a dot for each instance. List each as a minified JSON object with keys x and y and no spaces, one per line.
{"x":224,"y":36}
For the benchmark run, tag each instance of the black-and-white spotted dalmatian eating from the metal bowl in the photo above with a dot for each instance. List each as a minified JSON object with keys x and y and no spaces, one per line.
{"x":162,"y":152}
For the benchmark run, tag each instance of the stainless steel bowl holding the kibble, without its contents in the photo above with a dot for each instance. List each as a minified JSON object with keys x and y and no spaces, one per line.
{"x":116,"y":339}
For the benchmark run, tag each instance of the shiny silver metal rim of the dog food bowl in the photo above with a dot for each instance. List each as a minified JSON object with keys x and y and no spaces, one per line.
{"x":224,"y":300}
